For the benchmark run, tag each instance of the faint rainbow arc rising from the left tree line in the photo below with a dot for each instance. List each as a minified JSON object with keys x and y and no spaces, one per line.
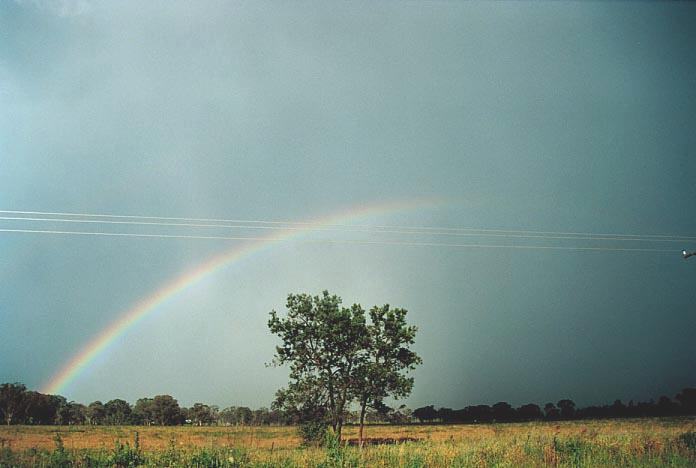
{"x":148,"y":305}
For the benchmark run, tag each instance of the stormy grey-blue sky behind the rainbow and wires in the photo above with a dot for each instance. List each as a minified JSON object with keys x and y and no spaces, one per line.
{"x":526,"y":116}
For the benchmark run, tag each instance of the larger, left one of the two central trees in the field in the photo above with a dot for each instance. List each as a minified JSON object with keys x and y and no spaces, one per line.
{"x":323,"y":343}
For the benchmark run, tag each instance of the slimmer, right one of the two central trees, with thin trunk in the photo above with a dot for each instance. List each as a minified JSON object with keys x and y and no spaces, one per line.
{"x":379,"y":373}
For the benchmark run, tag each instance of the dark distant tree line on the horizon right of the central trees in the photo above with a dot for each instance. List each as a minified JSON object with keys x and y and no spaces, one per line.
{"x":684,"y":404}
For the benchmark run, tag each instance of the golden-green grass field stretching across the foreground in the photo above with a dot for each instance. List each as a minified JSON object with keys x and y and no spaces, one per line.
{"x":638,"y":442}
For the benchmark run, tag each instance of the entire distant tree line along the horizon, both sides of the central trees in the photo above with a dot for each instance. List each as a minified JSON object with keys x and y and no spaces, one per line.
{"x":21,"y":406}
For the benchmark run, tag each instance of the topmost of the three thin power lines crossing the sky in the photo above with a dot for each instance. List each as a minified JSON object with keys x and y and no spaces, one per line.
{"x":441,"y":230}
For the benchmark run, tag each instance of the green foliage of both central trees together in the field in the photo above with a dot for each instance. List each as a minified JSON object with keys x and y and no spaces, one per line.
{"x":337,"y":358}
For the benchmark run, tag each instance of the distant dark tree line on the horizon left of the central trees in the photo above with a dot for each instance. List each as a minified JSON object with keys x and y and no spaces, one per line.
{"x":21,"y":406}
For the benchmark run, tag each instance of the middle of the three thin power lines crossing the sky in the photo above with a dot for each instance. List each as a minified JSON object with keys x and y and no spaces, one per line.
{"x":320,"y":228}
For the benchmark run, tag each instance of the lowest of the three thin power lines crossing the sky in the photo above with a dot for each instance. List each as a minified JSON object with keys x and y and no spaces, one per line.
{"x":331,"y":241}
